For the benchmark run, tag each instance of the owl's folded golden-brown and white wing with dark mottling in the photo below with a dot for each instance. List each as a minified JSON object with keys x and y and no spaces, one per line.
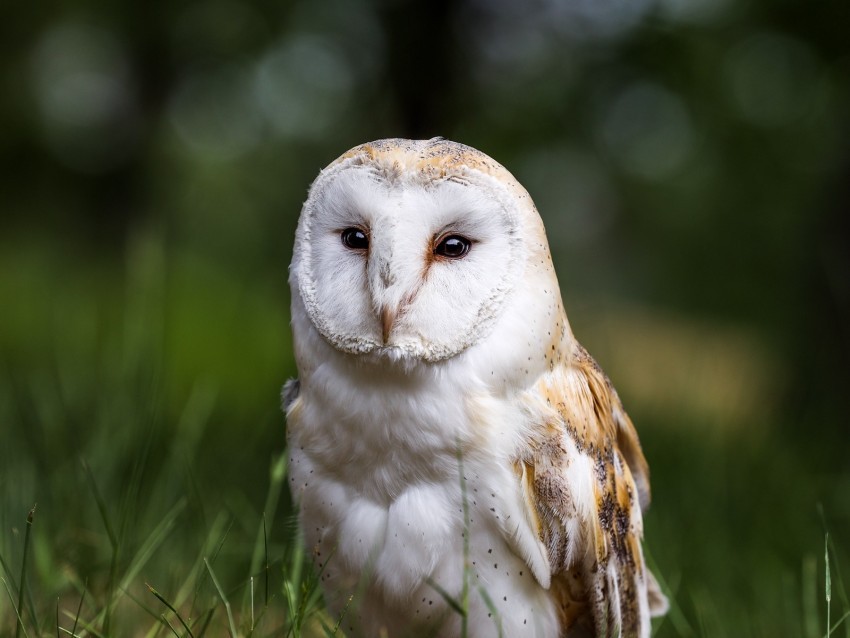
{"x":586,"y":482}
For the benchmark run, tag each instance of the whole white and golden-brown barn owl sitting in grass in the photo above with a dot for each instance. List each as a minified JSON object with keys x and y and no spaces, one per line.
{"x":462,"y":466}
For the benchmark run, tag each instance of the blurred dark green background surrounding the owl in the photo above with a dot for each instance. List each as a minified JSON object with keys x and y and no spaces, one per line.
{"x":691,"y":161}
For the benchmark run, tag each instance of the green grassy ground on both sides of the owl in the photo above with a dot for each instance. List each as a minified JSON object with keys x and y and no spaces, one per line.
{"x":139,"y":412}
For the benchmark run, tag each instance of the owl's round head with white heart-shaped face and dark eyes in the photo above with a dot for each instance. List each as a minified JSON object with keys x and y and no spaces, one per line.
{"x":409,"y":249}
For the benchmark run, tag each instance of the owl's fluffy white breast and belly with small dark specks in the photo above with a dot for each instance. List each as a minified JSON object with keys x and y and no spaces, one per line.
{"x":405,"y":482}
